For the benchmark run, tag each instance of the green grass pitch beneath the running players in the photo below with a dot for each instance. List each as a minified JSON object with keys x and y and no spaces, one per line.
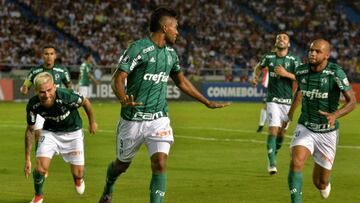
{"x":216,"y":157}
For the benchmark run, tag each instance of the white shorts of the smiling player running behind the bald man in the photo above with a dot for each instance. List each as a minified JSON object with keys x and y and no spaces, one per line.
{"x":276,"y":113}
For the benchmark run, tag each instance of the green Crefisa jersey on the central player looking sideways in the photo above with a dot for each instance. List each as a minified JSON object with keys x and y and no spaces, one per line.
{"x":149,"y":67}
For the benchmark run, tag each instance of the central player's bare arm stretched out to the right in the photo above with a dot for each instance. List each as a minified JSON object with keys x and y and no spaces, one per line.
{"x":185,"y":85}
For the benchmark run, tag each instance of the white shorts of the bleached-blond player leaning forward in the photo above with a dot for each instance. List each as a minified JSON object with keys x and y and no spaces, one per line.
{"x":69,"y":145}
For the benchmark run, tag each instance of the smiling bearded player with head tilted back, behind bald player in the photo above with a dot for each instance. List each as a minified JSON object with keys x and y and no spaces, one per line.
{"x":281,"y":65}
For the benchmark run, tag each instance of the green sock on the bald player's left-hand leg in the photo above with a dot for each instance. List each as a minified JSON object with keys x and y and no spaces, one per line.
{"x":295,"y":182}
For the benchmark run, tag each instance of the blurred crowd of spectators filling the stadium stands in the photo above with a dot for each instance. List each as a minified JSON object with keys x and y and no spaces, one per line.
{"x":220,"y":38}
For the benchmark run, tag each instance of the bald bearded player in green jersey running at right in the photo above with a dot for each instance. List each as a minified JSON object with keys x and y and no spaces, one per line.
{"x":320,"y":83}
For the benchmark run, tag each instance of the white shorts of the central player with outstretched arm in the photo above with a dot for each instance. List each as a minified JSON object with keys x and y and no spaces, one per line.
{"x":157,"y":135}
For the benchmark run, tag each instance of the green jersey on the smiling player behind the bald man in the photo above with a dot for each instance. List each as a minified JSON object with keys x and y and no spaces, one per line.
{"x":279,"y":88}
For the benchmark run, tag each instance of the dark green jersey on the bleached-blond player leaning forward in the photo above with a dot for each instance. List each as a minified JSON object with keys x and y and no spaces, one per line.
{"x":63,"y":116}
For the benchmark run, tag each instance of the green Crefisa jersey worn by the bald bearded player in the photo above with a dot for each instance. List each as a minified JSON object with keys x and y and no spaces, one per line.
{"x":320,"y":91}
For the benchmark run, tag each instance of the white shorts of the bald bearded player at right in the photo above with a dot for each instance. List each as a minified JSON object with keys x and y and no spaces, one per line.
{"x":321,"y":145}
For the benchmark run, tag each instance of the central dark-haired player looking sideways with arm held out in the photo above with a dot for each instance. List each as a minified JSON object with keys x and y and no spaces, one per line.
{"x":147,"y":65}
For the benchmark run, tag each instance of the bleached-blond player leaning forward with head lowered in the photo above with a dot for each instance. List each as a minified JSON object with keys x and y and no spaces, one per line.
{"x":62,"y":132}
